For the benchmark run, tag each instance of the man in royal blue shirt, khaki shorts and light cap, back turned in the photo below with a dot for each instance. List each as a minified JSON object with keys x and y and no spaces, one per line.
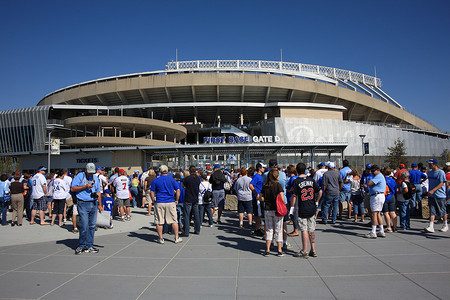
{"x":165,"y":193}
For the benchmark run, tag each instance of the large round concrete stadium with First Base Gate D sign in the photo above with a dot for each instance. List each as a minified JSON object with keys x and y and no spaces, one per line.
{"x":232,"y":112}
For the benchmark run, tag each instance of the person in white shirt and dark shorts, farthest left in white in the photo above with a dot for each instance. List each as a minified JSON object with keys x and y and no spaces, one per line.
{"x":39,"y":190}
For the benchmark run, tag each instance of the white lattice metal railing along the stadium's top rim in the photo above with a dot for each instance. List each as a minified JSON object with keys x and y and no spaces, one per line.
{"x":290,"y":68}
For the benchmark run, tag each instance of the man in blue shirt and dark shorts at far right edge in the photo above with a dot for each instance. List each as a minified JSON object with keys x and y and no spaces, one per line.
{"x":436,"y":195}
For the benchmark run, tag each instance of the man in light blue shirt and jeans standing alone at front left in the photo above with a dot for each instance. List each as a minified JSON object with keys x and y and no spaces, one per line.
{"x":87,"y":190}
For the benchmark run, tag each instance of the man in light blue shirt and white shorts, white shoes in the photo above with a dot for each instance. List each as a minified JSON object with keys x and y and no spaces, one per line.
{"x":377,"y":187}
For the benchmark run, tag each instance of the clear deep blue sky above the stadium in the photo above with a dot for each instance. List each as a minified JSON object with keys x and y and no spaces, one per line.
{"x":48,"y":45}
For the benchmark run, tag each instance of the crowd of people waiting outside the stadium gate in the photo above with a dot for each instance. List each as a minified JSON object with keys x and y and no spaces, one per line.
{"x":270,"y":197}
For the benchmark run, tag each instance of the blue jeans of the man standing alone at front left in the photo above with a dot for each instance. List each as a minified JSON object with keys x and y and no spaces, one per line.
{"x":87,"y":211}
